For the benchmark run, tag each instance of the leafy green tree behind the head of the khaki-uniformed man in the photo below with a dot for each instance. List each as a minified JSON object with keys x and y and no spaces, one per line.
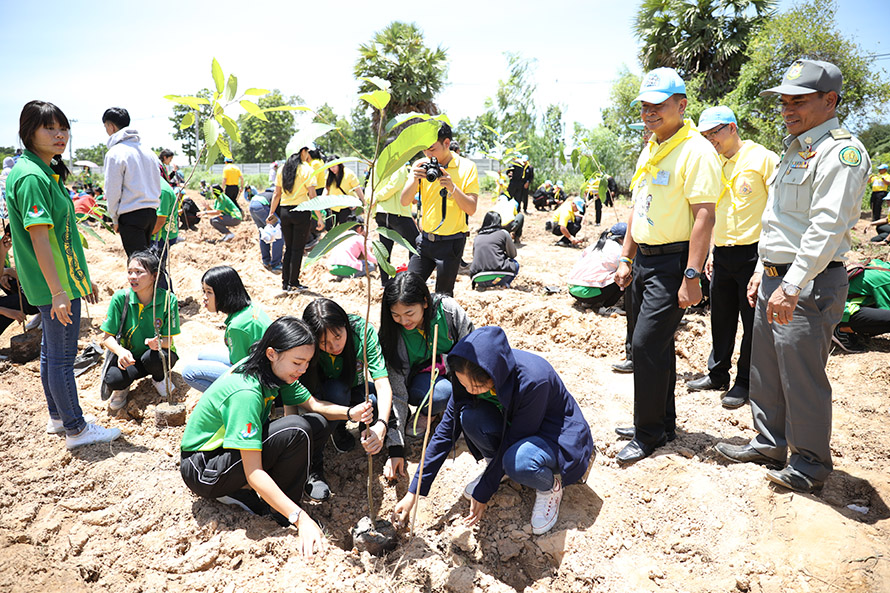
{"x":808,"y":30}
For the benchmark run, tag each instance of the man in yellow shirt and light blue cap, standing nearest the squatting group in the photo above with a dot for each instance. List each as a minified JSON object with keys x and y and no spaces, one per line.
{"x":675,"y":186}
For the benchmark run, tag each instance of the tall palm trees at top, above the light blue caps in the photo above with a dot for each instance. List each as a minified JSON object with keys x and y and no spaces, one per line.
{"x":707,"y":37}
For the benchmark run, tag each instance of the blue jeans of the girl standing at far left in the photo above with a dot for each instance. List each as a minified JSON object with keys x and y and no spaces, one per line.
{"x":57,"y":351}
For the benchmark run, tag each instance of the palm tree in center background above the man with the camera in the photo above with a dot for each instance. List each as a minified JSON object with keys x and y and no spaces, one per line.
{"x":415,"y":72}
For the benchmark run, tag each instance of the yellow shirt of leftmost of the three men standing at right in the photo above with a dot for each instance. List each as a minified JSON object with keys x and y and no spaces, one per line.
{"x":687,"y":174}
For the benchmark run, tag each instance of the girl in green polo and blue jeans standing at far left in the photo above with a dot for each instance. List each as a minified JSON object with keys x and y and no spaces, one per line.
{"x":51,"y":264}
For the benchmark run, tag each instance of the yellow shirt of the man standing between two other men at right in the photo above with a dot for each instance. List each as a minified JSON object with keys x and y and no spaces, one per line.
{"x":740,"y":207}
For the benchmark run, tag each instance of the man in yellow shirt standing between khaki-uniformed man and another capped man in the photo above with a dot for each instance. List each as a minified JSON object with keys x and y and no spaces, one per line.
{"x":747,"y":166}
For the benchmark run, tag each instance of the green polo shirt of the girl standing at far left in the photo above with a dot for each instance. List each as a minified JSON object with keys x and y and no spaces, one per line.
{"x":36,"y":196}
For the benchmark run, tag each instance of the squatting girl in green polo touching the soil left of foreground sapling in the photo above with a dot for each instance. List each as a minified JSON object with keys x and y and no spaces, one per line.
{"x":232,"y":452}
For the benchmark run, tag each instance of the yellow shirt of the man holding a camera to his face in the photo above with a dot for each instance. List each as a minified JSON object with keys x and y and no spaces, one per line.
{"x":453,"y":220}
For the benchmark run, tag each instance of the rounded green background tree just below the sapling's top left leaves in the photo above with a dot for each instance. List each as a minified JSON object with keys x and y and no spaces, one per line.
{"x":265,"y":141}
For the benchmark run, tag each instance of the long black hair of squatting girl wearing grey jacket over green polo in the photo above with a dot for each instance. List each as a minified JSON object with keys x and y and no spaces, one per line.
{"x":407,"y":288}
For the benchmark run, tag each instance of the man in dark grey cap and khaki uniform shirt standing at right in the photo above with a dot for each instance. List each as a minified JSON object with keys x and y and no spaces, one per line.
{"x":800,"y":284}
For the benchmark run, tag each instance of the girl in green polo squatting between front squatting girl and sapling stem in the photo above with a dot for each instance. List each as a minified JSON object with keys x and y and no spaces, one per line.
{"x":338,"y":374}
